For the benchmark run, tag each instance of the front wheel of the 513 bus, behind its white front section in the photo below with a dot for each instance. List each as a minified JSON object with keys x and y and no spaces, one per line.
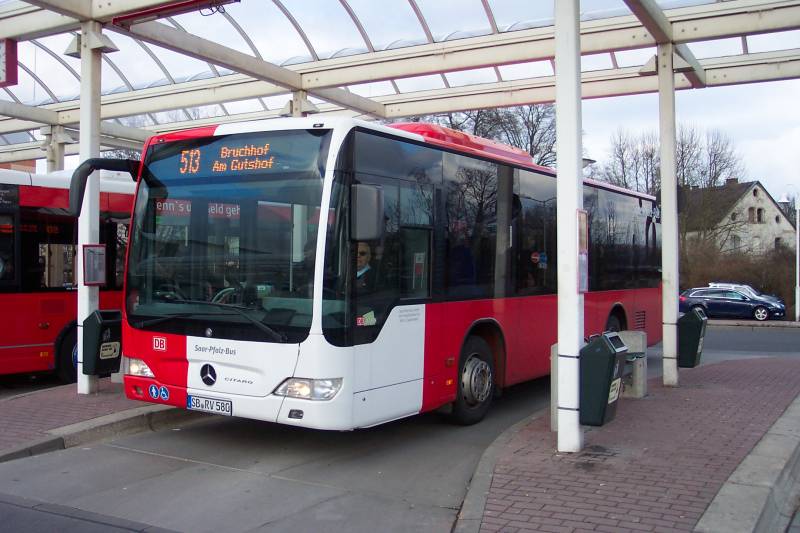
{"x":475,"y":382}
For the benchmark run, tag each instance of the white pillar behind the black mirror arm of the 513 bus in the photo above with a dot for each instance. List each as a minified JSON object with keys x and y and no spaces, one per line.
{"x":89,"y":221}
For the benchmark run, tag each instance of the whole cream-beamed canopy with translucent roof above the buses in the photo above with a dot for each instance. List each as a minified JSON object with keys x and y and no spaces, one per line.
{"x":166,"y":69}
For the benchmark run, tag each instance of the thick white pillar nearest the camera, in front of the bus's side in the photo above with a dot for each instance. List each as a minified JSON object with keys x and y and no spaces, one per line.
{"x":569,"y":194}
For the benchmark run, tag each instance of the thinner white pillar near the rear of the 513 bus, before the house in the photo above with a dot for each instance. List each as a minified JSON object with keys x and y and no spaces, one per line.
{"x":669,"y":213}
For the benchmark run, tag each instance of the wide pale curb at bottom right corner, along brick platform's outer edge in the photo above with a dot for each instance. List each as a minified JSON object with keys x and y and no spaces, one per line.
{"x":762,"y":494}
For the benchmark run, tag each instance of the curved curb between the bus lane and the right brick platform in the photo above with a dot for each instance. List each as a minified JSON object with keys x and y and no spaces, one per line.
{"x":471,"y":514}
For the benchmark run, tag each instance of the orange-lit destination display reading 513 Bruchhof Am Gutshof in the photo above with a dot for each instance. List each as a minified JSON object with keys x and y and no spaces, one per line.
{"x":239,"y":154}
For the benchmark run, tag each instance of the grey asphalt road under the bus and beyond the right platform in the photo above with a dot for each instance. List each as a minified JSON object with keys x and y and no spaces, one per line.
{"x":241,"y":475}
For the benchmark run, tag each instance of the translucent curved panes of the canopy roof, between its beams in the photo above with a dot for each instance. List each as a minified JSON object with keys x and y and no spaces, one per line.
{"x":292,"y":32}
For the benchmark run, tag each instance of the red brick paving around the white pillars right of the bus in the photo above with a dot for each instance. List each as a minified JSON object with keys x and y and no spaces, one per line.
{"x":656,"y":467}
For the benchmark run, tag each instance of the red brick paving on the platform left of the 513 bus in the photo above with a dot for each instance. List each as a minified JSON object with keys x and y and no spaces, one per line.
{"x":29,"y":416}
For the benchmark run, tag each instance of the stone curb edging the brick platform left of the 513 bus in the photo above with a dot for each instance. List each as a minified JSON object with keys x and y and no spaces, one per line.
{"x":128,"y":422}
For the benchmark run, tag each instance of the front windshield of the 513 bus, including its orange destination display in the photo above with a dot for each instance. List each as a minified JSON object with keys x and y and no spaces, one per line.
{"x":224,"y":236}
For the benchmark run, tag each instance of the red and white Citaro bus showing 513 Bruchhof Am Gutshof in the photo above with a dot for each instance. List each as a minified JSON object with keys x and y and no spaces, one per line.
{"x":337,"y":274}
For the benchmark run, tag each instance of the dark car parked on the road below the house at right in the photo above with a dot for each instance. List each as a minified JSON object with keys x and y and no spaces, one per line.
{"x":720,"y":302}
